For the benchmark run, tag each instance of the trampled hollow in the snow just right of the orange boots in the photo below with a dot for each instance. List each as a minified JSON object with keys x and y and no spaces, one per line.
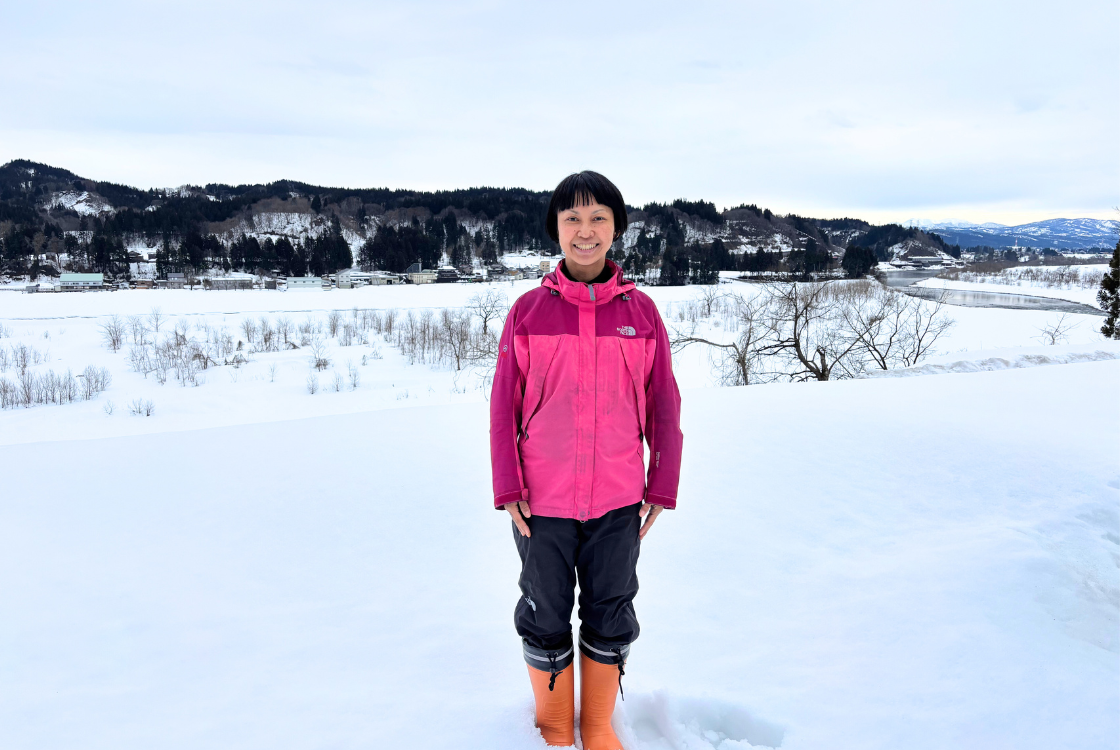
{"x":661,"y":721}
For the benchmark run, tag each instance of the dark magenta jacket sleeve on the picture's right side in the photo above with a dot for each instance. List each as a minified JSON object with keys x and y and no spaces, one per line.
{"x":664,"y":425}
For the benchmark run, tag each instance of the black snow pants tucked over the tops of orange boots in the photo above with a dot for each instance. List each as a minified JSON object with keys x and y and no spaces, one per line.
{"x":602,"y":555}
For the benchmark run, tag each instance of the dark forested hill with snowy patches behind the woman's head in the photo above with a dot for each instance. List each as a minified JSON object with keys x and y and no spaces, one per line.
{"x":53,"y":220}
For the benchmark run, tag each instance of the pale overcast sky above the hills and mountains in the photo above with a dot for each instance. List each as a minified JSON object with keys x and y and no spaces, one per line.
{"x":983,"y":111}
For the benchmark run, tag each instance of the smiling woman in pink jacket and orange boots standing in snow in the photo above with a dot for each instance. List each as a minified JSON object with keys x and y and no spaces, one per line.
{"x":584,"y":374}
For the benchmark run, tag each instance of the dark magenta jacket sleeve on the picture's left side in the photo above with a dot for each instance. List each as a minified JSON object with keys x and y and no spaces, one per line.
{"x":507,"y":395}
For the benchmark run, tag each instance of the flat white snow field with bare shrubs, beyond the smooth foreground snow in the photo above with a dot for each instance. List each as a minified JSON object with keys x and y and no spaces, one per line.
{"x":274,"y":387}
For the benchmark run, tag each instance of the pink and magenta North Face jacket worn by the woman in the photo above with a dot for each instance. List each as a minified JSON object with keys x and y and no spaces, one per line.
{"x":584,"y":373}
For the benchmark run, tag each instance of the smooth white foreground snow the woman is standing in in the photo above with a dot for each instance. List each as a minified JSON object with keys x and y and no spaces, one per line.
{"x":922,"y":562}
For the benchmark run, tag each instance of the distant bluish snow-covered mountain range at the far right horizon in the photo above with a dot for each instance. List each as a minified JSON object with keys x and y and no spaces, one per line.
{"x":1057,"y":233}
